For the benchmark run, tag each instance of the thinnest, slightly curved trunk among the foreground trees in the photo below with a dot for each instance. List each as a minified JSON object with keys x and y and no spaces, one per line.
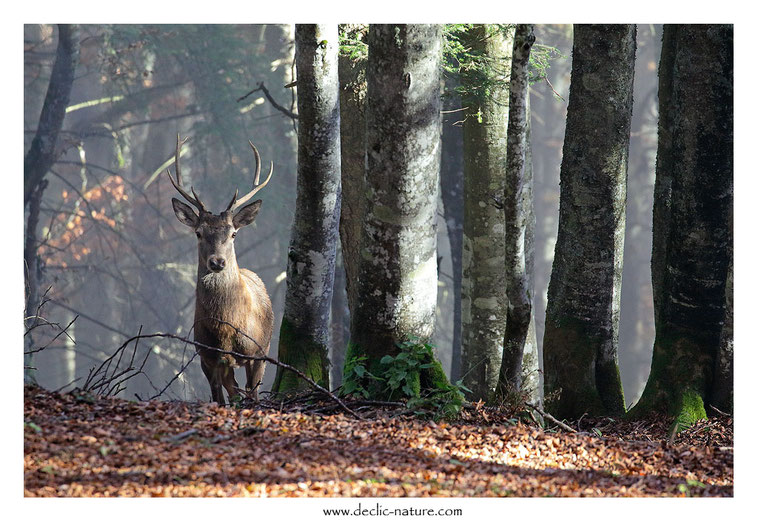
{"x":518,"y":206}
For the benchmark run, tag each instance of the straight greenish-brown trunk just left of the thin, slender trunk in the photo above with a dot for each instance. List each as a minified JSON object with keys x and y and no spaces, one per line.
{"x":484,"y":158}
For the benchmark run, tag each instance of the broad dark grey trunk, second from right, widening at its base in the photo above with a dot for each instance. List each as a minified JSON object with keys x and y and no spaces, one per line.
{"x":581,"y":324}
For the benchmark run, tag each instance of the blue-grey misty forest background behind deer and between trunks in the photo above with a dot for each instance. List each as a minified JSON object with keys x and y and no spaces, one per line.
{"x":117,"y":262}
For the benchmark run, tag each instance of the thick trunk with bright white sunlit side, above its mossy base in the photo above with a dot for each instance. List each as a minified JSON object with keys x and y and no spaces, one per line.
{"x":396,"y":292}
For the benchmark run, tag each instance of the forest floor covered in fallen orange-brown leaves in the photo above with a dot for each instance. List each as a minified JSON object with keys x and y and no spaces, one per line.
{"x":80,"y":445}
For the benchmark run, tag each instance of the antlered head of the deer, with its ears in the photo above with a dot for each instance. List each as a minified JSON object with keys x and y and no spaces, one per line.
{"x":216,"y":232}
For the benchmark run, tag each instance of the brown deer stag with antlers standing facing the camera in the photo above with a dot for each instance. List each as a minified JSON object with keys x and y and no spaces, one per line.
{"x":232,"y":308}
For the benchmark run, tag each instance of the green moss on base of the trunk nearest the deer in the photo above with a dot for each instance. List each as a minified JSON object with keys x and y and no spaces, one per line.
{"x":301,"y":351}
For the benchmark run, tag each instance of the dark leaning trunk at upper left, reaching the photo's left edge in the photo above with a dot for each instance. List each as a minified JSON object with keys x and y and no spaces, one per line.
{"x":41,"y":154}
